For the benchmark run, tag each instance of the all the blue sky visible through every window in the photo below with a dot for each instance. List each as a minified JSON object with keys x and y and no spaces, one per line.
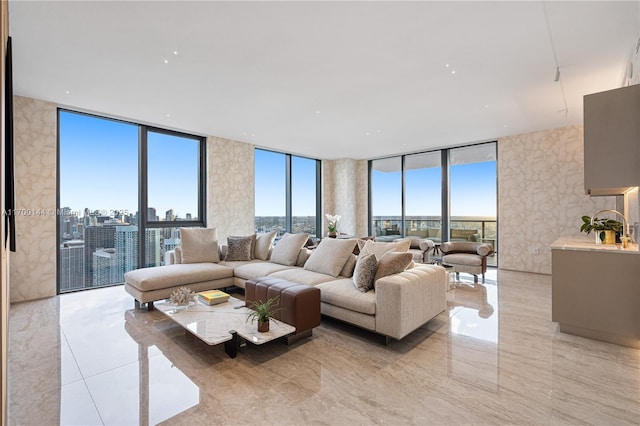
{"x":99,"y":170}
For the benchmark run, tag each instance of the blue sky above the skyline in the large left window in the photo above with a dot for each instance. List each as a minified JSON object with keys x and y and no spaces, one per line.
{"x":99,"y":167}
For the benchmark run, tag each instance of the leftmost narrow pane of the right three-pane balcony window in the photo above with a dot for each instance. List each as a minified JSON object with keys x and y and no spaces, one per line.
{"x":386,"y":198}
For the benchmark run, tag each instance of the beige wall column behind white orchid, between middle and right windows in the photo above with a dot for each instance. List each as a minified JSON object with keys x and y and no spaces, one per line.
{"x":345,"y":192}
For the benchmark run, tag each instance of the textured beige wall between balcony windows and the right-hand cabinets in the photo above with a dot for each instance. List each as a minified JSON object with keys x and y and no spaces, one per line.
{"x":541,"y":196}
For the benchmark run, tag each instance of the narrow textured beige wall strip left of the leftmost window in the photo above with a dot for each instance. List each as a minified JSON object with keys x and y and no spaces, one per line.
{"x":33,"y":265}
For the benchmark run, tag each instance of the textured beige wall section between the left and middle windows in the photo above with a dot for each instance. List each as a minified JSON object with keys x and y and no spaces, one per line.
{"x":230,"y":187}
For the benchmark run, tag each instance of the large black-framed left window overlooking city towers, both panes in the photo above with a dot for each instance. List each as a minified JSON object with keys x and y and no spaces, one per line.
{"x":110,"y":171}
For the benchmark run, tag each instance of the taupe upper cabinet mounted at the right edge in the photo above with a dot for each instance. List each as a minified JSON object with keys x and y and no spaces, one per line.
{"x":612,"y":141}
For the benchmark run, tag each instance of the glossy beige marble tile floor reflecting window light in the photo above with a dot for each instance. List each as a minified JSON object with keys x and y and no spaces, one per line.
{"x":494,"y":357}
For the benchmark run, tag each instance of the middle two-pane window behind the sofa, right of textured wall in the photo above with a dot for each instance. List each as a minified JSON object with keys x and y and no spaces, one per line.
{"x":286,"y":193}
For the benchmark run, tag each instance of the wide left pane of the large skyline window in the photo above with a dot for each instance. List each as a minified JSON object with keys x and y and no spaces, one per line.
{"x":98,"y":174}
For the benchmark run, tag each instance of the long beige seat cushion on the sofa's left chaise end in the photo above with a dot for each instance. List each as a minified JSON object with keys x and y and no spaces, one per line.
{"x":159,"y":277}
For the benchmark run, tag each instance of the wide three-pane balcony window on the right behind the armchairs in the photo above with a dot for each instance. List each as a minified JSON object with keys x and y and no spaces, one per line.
{"x":444,"y":195}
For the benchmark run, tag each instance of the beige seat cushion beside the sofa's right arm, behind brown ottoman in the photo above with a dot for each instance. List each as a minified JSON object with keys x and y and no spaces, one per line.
{"x":344,"y":294}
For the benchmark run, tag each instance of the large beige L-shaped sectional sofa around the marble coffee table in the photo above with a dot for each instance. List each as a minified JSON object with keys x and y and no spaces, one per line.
{"x":400,"y":302}
